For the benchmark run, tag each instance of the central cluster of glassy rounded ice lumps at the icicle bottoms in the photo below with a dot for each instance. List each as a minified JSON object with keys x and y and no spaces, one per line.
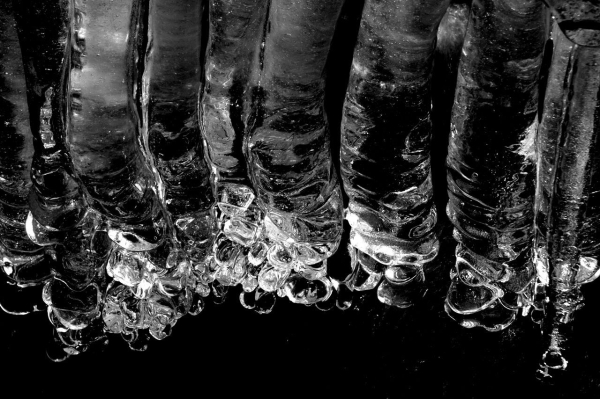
{"x":252,"y":252}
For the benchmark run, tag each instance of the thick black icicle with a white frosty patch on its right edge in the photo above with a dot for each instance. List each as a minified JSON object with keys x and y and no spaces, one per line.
{"x":491,"y":160}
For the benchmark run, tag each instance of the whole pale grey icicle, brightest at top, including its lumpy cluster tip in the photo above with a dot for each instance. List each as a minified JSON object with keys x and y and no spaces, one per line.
{"x":109,"y":148}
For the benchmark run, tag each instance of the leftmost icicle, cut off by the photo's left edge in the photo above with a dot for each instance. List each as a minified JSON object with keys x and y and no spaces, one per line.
{"x":24,"y":262}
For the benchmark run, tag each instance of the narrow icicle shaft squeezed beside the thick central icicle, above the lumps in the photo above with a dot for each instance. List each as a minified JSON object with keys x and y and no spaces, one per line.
{"x":235,"y":33}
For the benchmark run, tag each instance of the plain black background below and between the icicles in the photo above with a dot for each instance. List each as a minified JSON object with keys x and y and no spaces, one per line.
{"x":371,"y":350}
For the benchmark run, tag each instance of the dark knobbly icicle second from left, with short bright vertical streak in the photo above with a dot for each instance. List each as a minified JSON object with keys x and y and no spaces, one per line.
{"x":59,"y":215}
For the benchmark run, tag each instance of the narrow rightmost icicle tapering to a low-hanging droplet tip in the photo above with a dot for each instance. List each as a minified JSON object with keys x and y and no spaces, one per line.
{"x":567,"y":198}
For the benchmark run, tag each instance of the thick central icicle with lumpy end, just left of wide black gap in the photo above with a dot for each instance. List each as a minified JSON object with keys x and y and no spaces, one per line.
{"x":288,"y":151}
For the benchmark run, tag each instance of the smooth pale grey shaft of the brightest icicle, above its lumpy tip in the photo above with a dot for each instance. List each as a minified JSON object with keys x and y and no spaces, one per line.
{"x":104,"y":137}
